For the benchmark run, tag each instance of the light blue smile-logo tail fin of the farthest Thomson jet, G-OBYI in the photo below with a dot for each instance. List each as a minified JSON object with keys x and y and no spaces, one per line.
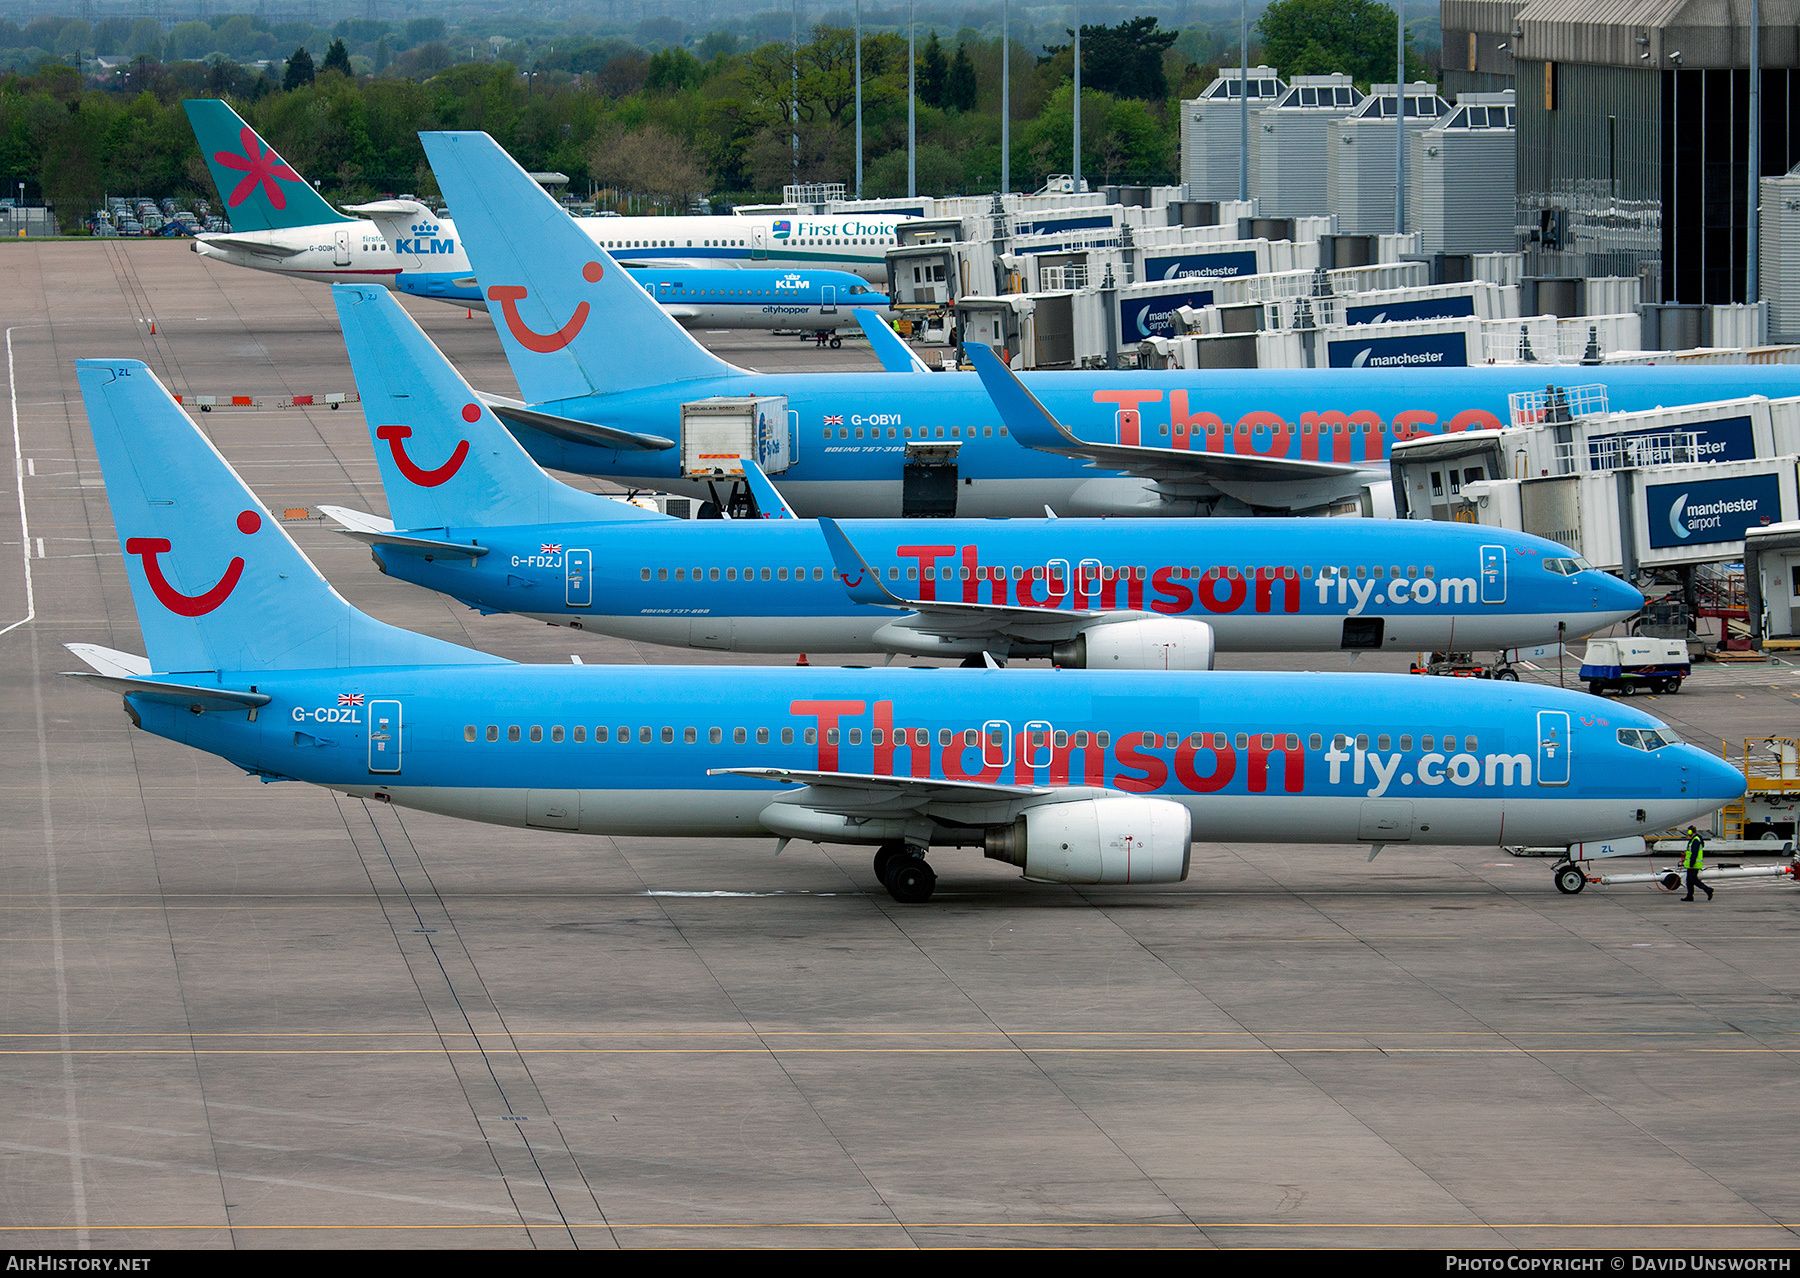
{"x":571,"y":321}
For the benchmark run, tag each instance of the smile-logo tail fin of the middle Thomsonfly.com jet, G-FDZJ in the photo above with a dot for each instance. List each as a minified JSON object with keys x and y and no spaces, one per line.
{"x":445,"y":458}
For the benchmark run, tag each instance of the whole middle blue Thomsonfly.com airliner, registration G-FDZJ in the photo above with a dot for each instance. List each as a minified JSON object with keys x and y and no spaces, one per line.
{"x":474,"y":517}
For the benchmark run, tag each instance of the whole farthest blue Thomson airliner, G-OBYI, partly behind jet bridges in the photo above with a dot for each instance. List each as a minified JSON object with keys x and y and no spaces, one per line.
{"x":607,"y":379}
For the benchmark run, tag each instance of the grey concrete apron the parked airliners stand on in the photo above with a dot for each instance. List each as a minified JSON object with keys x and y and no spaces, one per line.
{"x":264,"y":1016}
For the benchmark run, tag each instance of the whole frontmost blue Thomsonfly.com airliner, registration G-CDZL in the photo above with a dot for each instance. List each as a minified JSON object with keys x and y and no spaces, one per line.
{"x":1074,"y":777}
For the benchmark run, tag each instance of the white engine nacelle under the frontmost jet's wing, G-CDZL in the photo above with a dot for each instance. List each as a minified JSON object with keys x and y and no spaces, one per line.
{"x":1099,"y":841}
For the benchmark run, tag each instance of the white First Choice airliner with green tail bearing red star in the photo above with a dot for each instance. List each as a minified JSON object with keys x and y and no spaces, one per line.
{"x":280,"y":224}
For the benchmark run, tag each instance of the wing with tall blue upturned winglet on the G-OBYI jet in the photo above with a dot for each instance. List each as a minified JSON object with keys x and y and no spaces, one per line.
{"x":1034,"y":426}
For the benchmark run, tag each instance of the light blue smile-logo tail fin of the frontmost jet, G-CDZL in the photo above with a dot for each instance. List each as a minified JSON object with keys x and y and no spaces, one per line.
{"x":219,"y":584}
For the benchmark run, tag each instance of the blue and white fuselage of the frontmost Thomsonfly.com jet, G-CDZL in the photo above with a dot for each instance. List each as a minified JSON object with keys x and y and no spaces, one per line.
{"x":1261,"y":757}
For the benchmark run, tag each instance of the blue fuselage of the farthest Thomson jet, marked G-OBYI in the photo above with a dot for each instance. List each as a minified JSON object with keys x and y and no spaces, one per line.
{"x":854,"y":431}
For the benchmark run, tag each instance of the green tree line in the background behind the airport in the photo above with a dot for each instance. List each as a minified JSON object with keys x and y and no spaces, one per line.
{"x":665,"y":125}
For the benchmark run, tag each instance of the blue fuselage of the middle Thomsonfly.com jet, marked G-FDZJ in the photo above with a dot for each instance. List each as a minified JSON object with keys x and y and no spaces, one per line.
{"x":1272,"y":586}
